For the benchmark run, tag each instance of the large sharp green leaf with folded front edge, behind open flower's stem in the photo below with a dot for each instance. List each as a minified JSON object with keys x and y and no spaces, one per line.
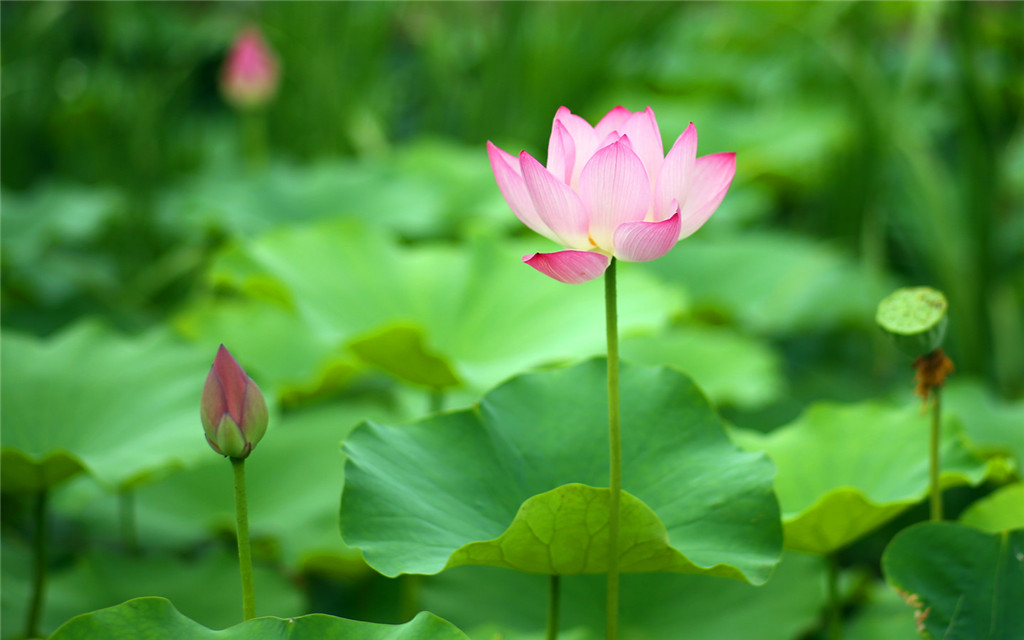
{"x":501,"y":484}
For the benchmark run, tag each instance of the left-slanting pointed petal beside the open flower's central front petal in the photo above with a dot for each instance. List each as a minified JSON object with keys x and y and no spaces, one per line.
{"x":558,"y":205}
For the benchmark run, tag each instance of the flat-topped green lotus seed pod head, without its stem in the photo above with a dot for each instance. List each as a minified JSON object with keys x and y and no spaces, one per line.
{"x":916,"y":318}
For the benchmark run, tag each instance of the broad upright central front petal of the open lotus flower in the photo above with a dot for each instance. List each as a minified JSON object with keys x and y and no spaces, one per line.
{"x":615,"y":189}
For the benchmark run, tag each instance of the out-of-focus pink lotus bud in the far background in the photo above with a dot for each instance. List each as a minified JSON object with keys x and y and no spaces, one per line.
{"x":249,"y":78}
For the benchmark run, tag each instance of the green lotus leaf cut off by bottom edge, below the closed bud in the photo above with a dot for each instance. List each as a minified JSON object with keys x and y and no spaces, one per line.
{"x":156,"y":619}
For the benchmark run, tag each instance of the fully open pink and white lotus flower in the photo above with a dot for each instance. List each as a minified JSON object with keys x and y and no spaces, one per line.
{"x":611,"y":191}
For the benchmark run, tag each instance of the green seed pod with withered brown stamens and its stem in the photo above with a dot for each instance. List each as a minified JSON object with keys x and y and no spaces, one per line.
{"x":916,"y":318}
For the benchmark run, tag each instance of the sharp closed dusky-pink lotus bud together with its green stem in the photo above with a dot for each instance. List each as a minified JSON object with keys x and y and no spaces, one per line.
{"x":235,"y":419}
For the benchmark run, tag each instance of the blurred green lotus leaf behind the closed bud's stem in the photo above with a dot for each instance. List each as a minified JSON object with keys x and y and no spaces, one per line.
{"x":293,"y":481}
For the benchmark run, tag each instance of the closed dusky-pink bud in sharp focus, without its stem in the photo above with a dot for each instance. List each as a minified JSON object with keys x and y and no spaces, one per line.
{"x":233,"y":410}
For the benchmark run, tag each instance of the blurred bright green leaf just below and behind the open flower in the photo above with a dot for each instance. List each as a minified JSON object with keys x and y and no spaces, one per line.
{"x":481,"y":311}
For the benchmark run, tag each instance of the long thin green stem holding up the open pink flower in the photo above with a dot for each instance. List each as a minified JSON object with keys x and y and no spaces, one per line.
{"x":615,"y":452}
